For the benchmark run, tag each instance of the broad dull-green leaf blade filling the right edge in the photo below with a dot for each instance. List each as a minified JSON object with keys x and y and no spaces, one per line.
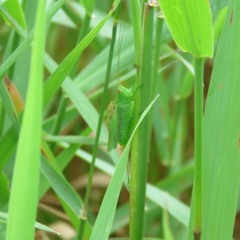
{"x":221,"y":135}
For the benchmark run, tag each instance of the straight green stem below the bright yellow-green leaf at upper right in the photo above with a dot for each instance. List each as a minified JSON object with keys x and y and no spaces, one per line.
{"x":198,"y":122}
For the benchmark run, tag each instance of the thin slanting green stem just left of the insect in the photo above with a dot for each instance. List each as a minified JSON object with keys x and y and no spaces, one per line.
{"x":100,"y":121}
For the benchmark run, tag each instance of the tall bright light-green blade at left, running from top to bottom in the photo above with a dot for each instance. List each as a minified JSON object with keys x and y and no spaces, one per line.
{"x":24,"y":191}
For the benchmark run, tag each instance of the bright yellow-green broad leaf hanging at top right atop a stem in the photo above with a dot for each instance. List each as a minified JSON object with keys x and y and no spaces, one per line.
{"x":190,"y":24}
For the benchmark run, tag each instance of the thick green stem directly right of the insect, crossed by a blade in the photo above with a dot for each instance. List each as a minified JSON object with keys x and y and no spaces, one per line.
{"x":141,"y":141}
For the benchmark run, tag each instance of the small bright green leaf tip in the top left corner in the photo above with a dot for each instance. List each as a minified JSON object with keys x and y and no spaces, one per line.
{"x":15,"y":9}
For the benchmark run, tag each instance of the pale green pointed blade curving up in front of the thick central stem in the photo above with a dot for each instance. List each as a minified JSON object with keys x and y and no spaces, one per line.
{"x":103,"y":224}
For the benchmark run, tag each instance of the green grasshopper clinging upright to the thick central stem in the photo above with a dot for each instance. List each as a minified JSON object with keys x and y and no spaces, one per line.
{"x":121,"y":117}
